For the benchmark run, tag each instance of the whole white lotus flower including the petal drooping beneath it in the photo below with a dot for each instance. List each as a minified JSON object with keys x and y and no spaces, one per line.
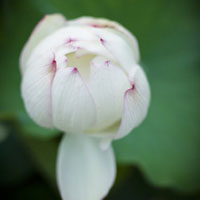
{"x":83,"y":77}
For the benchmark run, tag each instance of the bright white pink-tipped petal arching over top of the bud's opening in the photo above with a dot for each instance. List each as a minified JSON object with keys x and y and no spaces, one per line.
{"x":71,"y":38}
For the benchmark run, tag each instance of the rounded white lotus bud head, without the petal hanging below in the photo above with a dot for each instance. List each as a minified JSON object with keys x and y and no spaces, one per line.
{"x":83,"y":76}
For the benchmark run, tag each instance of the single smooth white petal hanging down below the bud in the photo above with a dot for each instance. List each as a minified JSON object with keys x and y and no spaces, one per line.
{"x":84,"y":171}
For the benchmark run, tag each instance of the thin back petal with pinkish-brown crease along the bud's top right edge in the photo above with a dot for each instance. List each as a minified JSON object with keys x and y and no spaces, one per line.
{"x":104,"y":23}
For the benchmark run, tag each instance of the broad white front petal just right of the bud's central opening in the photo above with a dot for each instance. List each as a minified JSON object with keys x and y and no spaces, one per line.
{"x":107,"y":85}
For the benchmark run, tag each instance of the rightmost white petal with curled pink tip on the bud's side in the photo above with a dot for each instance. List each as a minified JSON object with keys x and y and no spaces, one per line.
{"x":136,"y":102}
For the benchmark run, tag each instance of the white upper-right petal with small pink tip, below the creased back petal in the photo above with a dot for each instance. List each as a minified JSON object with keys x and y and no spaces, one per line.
{"x":119,"y":47}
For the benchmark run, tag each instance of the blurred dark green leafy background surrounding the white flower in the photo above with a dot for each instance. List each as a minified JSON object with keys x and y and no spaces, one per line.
{"x":160,"y":160}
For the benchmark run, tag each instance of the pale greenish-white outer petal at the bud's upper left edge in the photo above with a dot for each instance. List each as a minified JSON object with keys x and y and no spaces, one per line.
{"x":46,"y":26}
